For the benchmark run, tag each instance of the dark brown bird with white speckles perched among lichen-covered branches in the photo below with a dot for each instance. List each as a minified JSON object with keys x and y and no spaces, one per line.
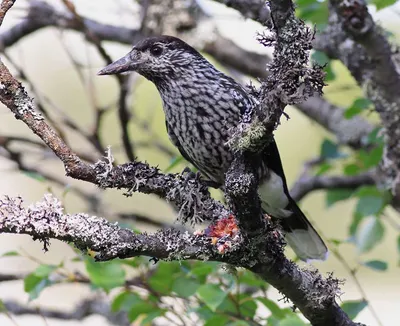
{"x":201,"y":106}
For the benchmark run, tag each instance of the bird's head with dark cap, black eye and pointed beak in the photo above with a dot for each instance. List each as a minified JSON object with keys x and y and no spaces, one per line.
{"x":156,"y":58}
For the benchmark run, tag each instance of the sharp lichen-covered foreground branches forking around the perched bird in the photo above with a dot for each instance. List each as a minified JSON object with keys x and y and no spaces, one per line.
{"x":259,"y":249}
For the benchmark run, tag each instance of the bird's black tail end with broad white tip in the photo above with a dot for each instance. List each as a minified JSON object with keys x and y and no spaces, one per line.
{"x":301,"y":236}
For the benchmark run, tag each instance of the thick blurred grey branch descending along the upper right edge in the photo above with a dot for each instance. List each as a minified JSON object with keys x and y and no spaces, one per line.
{"x":353,"y":37}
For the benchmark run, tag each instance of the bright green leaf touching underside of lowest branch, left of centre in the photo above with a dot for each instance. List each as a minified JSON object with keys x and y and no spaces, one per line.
{"x":105,"y":275}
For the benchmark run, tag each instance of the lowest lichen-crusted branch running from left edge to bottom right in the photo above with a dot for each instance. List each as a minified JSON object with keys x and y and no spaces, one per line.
{"x":312,"y":294}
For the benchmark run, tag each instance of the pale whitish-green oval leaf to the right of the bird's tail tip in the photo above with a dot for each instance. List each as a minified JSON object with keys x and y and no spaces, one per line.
{"x":369,"y":234}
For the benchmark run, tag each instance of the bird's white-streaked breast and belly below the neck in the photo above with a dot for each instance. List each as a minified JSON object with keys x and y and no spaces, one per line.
{"x":201,"y":126}
